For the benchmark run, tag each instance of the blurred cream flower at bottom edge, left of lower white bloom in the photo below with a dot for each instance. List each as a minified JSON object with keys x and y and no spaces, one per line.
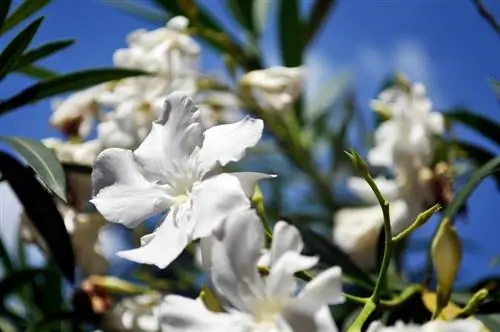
{"x":134,"y":314}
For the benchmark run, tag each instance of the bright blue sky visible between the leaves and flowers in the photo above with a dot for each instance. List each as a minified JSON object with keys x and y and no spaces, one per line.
{"x":444,"y":44}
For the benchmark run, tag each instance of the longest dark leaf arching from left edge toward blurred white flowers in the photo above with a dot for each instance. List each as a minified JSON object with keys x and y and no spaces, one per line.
{"x":66,"y":83}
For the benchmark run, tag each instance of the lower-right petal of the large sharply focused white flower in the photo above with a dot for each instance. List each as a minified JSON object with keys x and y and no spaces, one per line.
{"x":212,"y":202}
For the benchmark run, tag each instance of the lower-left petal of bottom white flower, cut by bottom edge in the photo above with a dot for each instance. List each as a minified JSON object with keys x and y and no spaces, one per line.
{"x":180,"y":314}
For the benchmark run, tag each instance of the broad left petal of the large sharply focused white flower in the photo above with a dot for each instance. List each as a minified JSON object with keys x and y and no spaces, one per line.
{"x":121,"y":193}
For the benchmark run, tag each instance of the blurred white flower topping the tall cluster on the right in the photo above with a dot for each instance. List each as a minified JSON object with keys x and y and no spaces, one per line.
{"x":405,"y":139}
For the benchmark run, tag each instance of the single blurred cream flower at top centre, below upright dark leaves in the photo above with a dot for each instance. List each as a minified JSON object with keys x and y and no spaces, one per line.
{"x":276,"y":88}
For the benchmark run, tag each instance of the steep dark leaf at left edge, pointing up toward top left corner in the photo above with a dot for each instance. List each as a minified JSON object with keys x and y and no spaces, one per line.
{"x":14,"y":50}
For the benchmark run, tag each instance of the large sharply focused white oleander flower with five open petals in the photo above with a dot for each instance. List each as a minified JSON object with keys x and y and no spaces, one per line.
{"x":176,"y":168}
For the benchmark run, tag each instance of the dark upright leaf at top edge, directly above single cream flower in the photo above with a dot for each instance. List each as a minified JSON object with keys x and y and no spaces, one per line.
{"x":290,"y":33}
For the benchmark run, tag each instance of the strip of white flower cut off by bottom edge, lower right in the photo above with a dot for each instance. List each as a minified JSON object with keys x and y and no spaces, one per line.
{"x":459,"y":325}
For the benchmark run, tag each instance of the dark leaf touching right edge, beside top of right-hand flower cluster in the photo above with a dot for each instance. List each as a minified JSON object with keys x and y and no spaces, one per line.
{"x":483,"y":125}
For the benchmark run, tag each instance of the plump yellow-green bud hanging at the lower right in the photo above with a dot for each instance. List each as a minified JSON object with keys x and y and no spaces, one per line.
{"x":446,"y":257}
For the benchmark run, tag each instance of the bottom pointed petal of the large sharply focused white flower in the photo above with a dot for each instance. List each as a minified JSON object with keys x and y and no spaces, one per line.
{"x":165,"y":246}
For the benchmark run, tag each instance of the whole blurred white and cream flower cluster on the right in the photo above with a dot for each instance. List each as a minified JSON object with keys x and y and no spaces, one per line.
{"x":404,"y":146}
